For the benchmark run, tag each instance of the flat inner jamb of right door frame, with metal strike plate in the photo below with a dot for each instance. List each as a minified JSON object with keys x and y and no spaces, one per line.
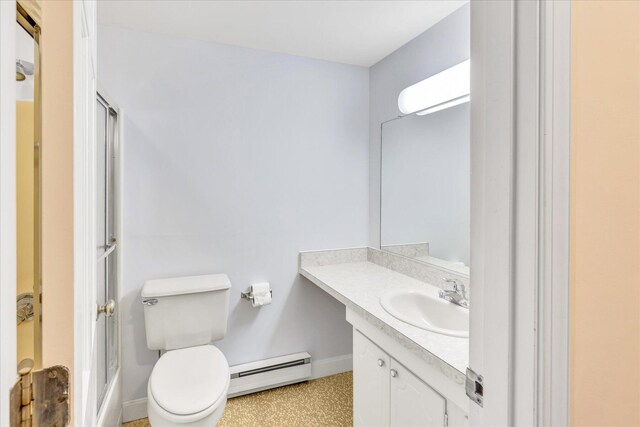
{"x":492,"y":210}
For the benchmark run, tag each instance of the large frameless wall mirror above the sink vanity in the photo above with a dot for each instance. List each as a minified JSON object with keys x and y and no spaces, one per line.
{"x":425,"y":187}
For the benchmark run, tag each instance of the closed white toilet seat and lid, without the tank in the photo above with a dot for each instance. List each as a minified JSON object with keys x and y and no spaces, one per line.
{"x":189,"y":384}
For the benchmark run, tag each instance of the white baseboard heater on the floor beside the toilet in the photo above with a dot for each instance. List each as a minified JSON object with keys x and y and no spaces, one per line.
{"x":269,"y":373}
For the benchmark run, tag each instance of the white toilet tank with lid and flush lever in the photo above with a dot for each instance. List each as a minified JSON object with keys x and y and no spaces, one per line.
{"x":185,"y":311}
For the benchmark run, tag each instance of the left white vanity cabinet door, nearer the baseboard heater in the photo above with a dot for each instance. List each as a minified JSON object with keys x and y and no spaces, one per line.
{"x":370,"y":383}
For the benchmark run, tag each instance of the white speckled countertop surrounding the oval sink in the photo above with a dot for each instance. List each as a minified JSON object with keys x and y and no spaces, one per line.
{"x":359,"y":286}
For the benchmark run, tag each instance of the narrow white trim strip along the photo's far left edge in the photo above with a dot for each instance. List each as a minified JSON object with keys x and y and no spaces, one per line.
{"x":8,"y":266}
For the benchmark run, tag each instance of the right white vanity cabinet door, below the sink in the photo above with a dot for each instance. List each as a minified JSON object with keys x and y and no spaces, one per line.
{"x":412,"y":402}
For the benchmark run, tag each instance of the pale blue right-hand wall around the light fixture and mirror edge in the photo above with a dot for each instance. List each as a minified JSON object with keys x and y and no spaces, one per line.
{"x":445,"y":44}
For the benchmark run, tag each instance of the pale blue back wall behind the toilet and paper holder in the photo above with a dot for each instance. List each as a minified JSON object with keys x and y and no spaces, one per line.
{"x":236,"y":160}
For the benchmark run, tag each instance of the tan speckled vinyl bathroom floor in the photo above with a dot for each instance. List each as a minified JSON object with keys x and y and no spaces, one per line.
{"x":326,"y":402}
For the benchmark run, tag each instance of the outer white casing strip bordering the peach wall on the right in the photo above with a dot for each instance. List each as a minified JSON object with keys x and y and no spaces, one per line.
{"x":553,"y":296}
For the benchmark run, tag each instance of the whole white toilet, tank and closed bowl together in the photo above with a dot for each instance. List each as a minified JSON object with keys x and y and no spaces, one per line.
{"x":183,"y":316}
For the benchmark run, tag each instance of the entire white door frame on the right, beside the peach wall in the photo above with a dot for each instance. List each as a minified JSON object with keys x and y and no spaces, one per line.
{"x":520,"y":130}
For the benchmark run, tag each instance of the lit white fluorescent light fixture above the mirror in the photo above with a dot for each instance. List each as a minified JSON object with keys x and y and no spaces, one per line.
{"x":445,"y":89}
